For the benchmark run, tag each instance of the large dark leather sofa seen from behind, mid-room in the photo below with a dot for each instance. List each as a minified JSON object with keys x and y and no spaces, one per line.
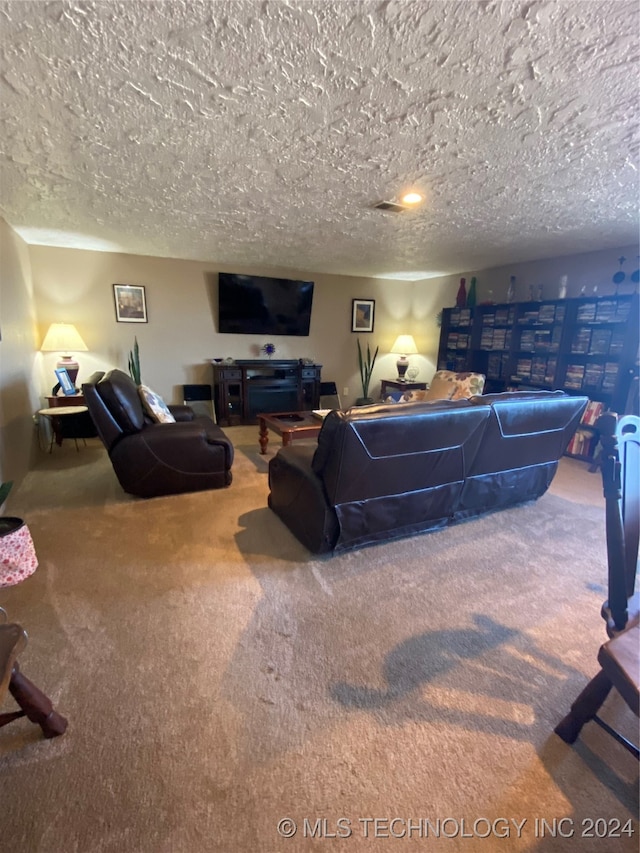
{"x":386,"y":471}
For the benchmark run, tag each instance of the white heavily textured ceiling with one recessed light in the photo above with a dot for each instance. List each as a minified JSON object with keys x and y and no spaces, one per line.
{"x":260,"y":133}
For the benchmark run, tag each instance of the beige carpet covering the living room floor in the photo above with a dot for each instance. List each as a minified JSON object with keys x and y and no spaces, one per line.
{"x":219,"y":679}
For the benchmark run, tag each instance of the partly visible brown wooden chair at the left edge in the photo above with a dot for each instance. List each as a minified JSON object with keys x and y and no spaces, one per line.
{"x":33,"y":703}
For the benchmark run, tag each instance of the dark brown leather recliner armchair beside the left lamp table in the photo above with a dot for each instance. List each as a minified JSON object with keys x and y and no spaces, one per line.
{"x":149,"y":458}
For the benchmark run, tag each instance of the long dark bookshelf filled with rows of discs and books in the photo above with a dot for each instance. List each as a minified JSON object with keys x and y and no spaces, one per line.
{"x":586,"y":346}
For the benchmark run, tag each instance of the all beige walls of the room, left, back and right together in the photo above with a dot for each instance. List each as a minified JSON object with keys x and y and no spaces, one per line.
{"x":180,"y":339}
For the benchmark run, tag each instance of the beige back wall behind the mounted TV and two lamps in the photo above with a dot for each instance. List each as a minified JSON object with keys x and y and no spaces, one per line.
{"x":180,"y":339}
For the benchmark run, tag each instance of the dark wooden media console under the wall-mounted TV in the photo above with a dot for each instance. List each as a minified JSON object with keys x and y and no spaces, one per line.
{"x":243,"y":389}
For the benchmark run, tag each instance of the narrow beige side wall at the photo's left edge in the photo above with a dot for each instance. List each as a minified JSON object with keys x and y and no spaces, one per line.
{"x":18,"y":386}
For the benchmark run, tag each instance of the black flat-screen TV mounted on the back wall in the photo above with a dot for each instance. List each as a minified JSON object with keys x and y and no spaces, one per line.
{"x":257,"y":305}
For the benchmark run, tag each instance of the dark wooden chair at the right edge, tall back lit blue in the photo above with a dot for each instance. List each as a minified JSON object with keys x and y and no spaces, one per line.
{"x":619,"y":658}
